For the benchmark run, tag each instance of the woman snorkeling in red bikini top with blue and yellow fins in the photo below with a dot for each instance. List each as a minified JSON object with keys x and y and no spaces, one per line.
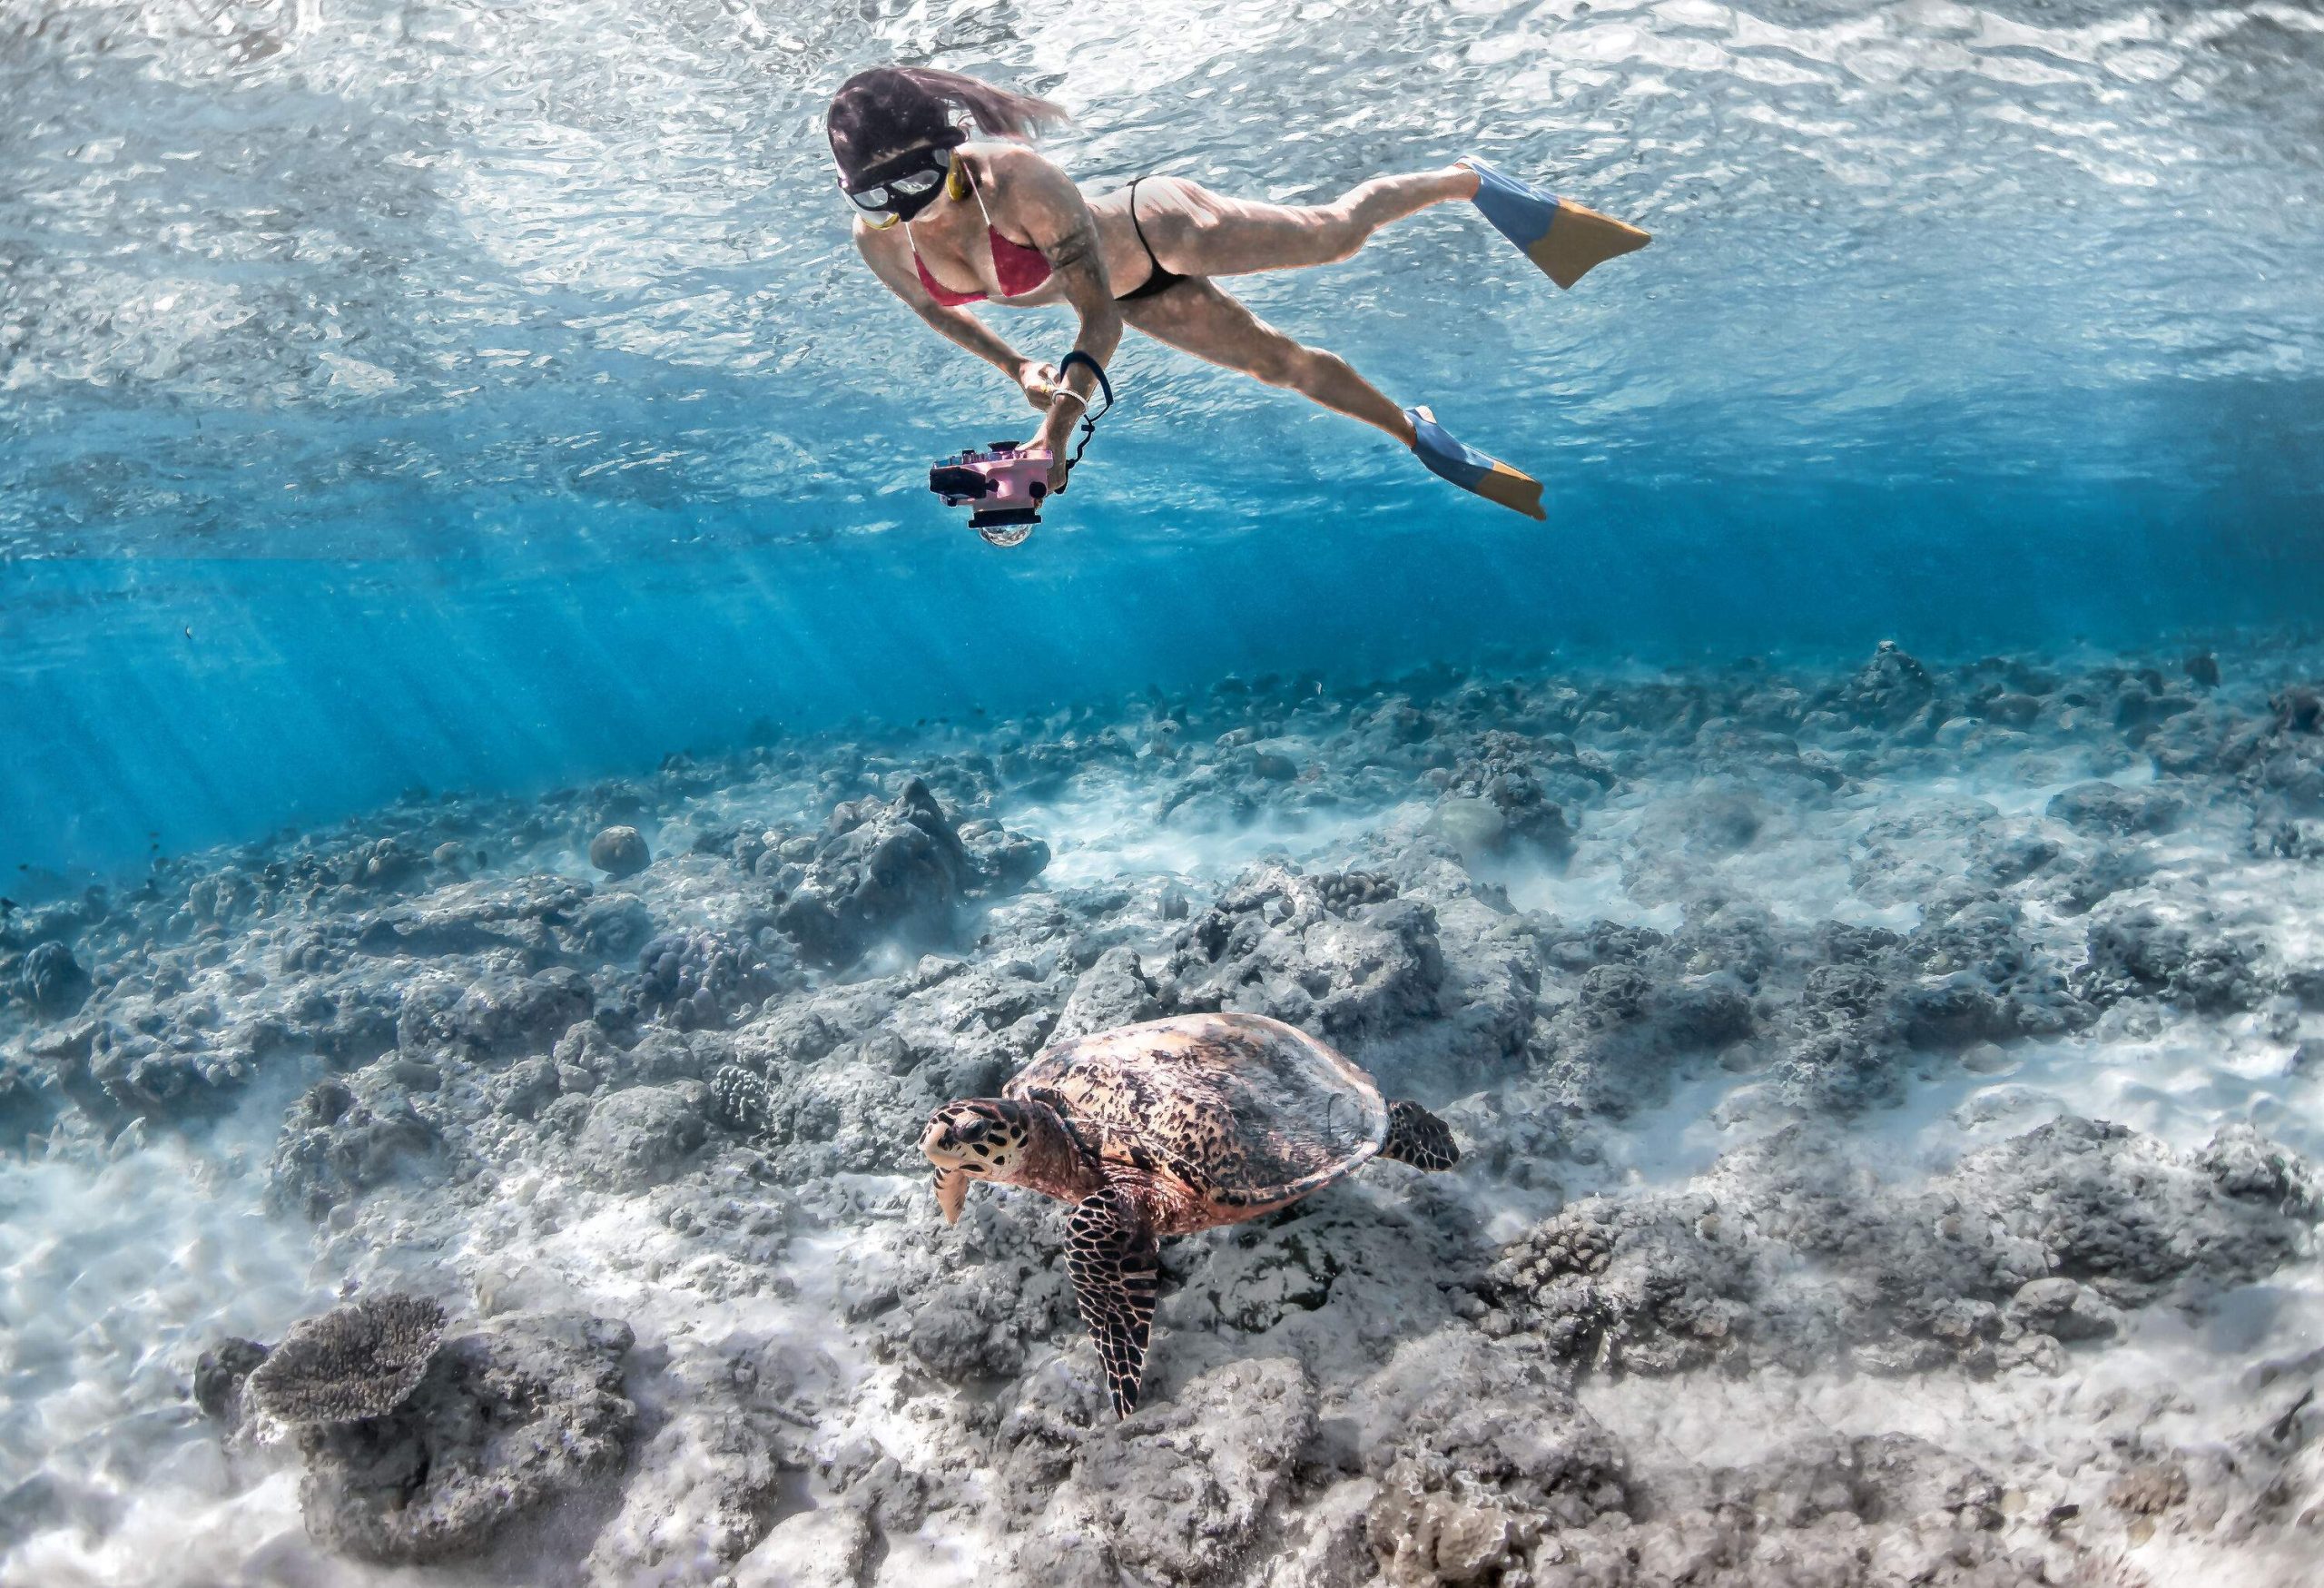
{"x":947,"y":222}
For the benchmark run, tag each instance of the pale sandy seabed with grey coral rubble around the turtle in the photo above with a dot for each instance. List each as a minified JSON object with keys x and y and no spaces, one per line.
{"x":1888,"y":1103}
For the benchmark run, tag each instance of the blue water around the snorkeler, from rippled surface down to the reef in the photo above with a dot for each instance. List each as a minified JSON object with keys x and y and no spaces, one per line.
{"x":487,"y":396}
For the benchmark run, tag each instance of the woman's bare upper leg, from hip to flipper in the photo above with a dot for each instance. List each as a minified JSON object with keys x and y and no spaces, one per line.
{"x":1203,"y":234}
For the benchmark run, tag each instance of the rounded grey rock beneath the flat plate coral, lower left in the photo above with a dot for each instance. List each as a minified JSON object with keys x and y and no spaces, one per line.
{"x":508,"y":1419}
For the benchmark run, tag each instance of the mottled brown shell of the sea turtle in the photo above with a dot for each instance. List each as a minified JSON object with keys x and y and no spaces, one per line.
{"x":1242,"y":1110}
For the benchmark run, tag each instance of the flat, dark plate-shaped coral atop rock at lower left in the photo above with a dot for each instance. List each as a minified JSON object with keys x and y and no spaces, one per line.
{"x":352,"y":1364}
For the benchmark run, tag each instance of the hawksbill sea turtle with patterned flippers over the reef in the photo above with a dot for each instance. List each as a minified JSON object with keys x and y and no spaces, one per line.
{"x":1168,"y":1129}
